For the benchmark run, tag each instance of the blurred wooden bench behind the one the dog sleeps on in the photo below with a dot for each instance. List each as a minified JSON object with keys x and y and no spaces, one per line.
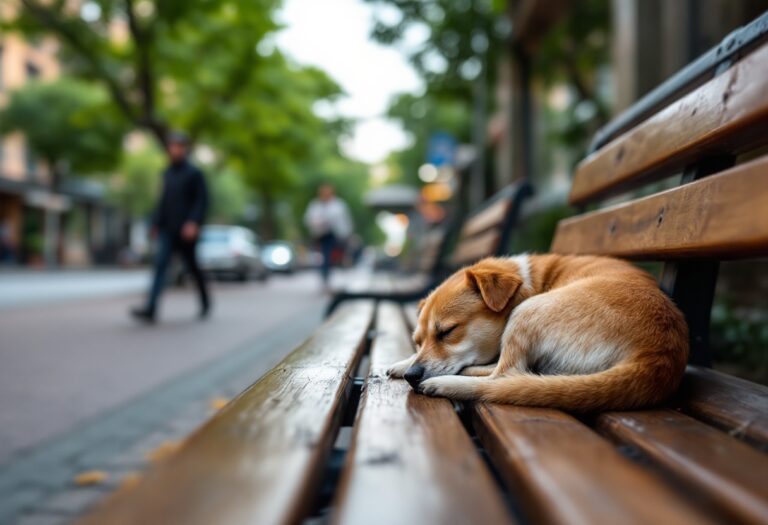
{"x":483,"y":233}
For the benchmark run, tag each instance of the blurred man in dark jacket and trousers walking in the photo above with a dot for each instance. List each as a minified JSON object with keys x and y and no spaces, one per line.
{"x":176,"y":224}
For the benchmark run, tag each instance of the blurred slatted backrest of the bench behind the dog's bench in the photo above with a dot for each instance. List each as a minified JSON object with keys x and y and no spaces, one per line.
{"x":486,"y":232}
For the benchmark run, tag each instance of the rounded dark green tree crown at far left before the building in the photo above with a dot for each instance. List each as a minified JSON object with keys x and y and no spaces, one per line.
{"x":70,"y":124}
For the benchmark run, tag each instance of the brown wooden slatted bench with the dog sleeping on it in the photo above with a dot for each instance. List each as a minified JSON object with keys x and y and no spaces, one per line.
{"x":326,"y":436}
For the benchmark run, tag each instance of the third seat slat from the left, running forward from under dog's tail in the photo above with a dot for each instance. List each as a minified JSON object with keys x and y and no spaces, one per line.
{"x":565,"y":473}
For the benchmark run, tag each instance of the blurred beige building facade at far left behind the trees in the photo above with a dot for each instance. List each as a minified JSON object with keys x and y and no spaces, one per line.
{"x":71,"y":226}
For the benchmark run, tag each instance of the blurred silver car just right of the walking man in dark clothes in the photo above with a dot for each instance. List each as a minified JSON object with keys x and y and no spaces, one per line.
{"x":230,"y":251}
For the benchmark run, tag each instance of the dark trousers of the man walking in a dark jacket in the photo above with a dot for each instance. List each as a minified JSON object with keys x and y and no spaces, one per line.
{"x":167,"y":245}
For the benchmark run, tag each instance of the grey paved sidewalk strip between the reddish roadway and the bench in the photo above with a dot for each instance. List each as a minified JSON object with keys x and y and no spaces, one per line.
{"x":38,"y":487}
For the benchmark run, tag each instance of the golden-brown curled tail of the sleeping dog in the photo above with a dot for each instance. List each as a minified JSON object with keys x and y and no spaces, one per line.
{"x":633,"y":384}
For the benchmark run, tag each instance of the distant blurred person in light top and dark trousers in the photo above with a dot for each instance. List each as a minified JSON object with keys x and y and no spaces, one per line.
{"x":328,"y":220}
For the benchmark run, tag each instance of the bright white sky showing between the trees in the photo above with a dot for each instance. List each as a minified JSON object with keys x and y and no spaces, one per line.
{"x":334,"y":36}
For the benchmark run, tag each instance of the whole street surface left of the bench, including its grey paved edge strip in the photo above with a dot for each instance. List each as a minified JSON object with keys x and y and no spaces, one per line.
{"x":83,"y":387}
